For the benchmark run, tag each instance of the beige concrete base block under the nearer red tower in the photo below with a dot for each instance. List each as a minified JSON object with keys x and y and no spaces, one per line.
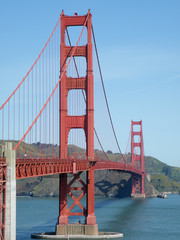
{"x":77,"y":229}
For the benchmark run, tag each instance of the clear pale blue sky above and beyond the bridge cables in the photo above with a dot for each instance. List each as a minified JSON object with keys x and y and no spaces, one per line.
{"x":139,"y":49}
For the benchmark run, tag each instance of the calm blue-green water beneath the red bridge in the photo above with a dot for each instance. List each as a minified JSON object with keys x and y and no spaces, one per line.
{"x":148,"y":219}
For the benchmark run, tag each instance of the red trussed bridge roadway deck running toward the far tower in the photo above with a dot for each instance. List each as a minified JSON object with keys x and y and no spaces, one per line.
{"x":26,"y":168}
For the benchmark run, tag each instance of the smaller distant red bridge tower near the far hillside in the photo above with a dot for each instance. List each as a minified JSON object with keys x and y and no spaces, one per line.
{"x":137,"y":157}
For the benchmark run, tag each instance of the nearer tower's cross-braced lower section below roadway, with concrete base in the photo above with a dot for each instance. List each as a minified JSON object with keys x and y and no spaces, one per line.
{"x":76,"y":189}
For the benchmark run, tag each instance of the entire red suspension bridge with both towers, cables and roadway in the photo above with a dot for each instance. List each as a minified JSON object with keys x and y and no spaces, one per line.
{"x":50,"y":112}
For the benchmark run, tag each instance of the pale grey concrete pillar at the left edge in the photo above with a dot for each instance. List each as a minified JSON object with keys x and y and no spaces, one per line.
{"x":10,"y":224}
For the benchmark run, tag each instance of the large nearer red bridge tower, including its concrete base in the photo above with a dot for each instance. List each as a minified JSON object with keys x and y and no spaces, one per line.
{"x":85,"y":122}
